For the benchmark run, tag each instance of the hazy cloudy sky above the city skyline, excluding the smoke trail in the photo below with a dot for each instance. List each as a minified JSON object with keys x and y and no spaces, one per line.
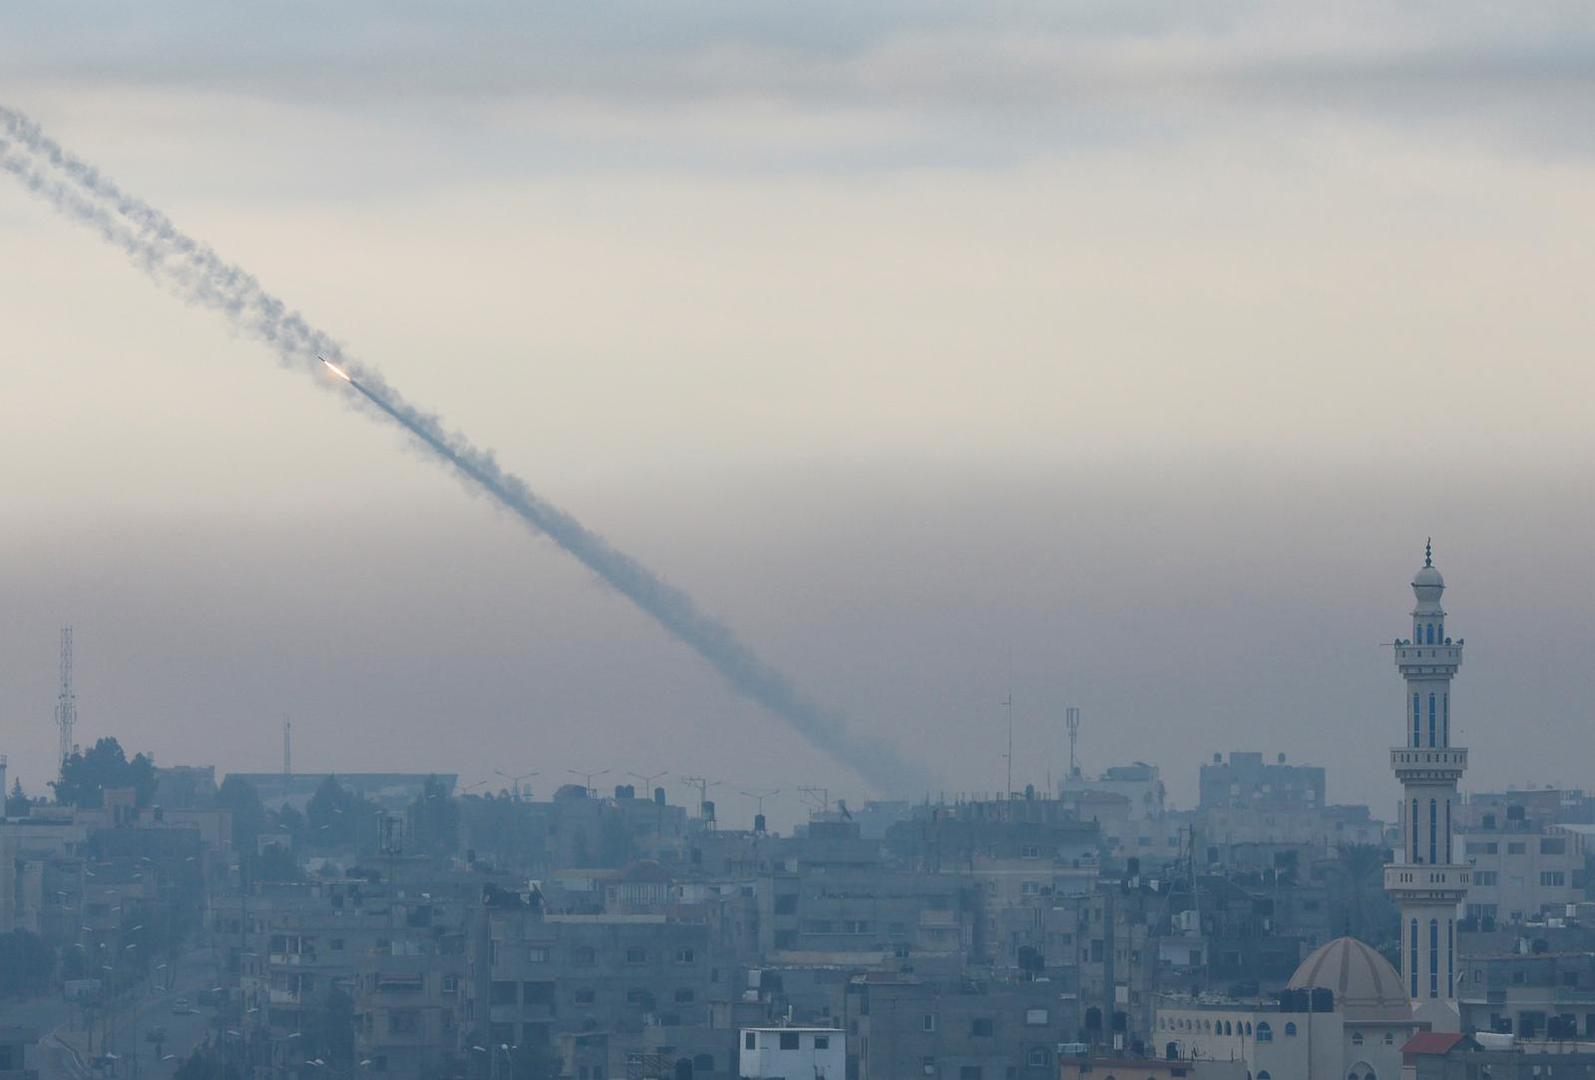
{"x":1108,"y":355}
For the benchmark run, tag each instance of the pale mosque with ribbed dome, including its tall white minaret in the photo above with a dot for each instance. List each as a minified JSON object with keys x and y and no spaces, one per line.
{"x":1347,"y":1011}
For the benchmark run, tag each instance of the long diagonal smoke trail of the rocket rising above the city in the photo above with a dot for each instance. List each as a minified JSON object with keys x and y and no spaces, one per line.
{"x":200,"y":277}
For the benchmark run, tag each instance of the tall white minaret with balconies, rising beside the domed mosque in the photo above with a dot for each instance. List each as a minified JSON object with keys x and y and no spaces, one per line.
{"x":1427,"y":885}
